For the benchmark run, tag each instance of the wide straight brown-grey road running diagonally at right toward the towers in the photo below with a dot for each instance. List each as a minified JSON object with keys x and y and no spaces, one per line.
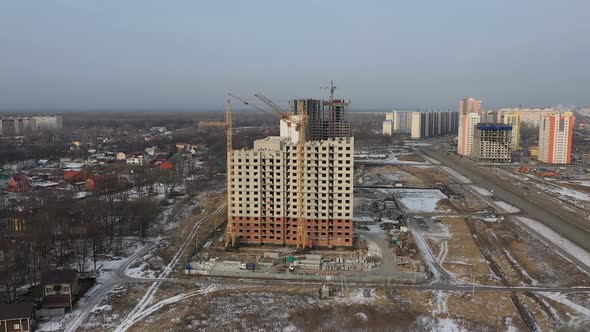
{"x":570,"y":224}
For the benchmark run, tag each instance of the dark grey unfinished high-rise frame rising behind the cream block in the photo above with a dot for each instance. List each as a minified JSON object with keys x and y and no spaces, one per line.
{"x":327,"y":118}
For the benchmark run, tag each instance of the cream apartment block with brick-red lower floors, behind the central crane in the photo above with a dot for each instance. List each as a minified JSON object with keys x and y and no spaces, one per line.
{"x":264,"y":192}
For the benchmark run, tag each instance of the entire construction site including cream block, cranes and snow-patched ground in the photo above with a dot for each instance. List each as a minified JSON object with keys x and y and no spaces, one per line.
{"x":385,"y":236}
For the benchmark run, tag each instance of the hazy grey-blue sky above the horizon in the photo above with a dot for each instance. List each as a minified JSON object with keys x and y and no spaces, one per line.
{"x":143,"y":54}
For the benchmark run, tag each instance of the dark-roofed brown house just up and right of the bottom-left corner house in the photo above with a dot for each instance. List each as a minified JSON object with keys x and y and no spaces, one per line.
{"x":60,"y":288}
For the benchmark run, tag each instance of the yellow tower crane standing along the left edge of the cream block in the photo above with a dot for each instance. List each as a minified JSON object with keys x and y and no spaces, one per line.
{"x":230,"y":233}
